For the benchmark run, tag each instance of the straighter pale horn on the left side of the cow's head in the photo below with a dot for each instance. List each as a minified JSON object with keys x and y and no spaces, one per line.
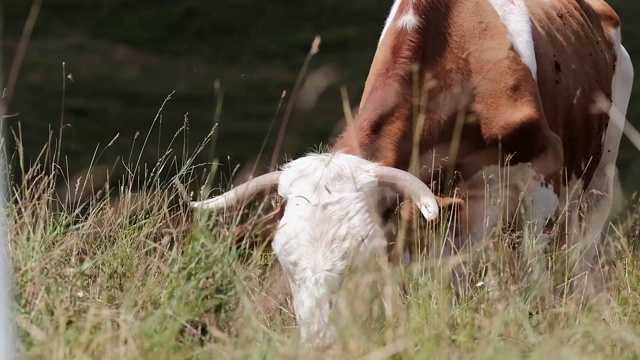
{"x":242,"y":193}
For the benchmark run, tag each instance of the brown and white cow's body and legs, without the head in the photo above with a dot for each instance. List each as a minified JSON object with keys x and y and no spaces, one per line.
{"x":528,"y":73}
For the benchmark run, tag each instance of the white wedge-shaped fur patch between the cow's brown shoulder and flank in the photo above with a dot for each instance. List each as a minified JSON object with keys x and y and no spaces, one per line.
{"x":515,"y":16}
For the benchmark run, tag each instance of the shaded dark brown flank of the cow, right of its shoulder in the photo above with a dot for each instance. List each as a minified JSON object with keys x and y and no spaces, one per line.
{"x":576,"y":61}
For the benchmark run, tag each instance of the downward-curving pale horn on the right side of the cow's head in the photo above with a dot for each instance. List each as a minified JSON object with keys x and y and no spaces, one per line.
{"x":407,"y":184}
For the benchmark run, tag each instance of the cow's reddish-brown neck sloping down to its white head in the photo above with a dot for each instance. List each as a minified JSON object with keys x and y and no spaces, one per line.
{"x":383,"y":127}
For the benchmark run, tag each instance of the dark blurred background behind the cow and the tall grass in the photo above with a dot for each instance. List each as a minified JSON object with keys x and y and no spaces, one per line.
{"x":126,"y":57}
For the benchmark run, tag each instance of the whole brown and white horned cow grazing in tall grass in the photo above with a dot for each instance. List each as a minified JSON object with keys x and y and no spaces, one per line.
{"x":526,"y":72}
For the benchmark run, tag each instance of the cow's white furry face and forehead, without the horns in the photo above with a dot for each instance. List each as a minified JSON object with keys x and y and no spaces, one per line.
{"x":327,"y":221}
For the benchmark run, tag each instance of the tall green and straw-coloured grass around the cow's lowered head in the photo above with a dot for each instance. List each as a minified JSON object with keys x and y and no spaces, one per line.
{"x":130,"y":272}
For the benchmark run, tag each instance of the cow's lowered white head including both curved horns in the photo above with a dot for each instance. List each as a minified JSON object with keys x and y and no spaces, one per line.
{"x":333,"y":216}
